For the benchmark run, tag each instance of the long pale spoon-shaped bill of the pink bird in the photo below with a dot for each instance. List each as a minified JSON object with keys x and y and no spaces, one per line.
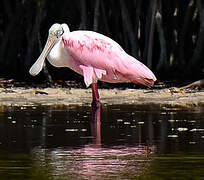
{"x":38,"y":65}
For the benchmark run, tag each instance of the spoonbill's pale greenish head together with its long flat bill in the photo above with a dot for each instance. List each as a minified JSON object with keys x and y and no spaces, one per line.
{"x":55,"y":35}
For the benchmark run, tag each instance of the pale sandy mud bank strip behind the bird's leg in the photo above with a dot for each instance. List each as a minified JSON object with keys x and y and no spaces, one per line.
{"x":62,"y":96}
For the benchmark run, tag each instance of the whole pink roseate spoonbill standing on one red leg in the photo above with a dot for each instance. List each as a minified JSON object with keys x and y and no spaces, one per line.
{"x":92,"y":55}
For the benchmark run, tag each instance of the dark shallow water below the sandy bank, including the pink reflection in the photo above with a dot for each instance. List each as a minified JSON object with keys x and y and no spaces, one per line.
{"x":132,"y":142}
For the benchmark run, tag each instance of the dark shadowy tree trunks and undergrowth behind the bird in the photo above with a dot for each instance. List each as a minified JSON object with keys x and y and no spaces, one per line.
{"x":166,"y":35}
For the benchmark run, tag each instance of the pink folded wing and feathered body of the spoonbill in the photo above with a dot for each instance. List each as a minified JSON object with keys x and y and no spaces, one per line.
{"x":101,"y":58}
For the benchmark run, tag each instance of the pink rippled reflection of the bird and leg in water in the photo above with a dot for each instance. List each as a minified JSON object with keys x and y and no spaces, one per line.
{"x":92,"y":159}
